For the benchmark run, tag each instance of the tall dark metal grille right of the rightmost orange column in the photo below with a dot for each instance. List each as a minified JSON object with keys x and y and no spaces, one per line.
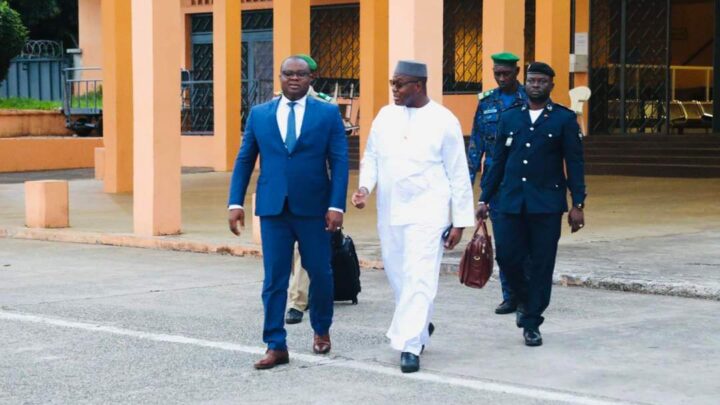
{"x":629,"y":66}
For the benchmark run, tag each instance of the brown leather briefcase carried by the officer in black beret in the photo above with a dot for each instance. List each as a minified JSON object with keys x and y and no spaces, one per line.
{"x":477,"y":261}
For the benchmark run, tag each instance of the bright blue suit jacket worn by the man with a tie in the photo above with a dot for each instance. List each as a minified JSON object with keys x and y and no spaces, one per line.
{"x":313,"y":178}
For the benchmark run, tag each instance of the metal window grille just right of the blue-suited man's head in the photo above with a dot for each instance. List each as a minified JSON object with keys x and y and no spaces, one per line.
{"x":335,"y":45}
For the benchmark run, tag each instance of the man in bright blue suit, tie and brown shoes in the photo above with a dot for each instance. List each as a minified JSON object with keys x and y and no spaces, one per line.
{"x":301,"y":193}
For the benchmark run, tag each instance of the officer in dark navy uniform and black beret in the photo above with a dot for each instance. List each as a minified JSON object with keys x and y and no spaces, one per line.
{"x":527,"y":185}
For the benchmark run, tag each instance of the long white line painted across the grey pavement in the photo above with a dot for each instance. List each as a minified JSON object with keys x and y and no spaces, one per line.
{"x":477,"y":385}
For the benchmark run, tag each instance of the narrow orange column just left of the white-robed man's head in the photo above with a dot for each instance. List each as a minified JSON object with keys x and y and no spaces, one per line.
{"x":373,"y":63}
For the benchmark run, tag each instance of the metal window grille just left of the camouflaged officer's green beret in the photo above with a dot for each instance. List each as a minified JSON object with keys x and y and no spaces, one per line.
{"x":462,"y":46}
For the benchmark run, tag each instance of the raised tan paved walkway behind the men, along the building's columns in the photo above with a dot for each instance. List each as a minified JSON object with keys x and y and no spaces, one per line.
{"x":650,"y":235}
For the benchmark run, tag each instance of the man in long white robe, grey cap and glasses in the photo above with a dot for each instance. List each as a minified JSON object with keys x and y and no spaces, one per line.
{"x":415,"y":156}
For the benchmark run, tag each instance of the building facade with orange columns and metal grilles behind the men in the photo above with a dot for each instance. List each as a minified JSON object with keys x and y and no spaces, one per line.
{"x":647,"y":62}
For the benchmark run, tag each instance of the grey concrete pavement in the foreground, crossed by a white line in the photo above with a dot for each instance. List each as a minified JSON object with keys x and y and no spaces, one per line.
{"x":98,"y":324}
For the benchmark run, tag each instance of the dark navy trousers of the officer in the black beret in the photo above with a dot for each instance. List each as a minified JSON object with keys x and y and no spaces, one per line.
{"x":526,"y":248}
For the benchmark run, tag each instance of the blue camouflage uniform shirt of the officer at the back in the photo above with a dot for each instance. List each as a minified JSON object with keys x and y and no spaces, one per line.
{"x":487,"y":116}
